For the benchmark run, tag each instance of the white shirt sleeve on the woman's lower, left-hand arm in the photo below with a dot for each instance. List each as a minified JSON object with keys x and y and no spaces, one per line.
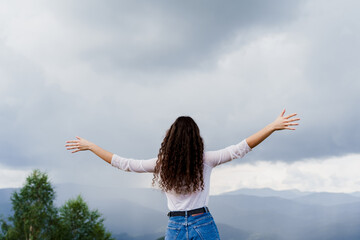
{"x":132,"y":165}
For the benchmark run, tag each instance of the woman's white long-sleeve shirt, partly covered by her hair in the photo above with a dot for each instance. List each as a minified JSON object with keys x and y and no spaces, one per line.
{"x":198,"y":199}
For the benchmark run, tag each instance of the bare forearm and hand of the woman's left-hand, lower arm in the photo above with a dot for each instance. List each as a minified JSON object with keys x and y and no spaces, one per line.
{"x":82,"y":144}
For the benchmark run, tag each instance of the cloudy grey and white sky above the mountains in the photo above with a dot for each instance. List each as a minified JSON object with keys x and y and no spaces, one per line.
{"x":119,"y":73}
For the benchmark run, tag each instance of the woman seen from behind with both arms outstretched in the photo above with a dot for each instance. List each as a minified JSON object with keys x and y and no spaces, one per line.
{"x":182,"y":170}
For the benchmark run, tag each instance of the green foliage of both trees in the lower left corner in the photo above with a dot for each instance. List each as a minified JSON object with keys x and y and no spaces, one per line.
{"x":36,"y":218}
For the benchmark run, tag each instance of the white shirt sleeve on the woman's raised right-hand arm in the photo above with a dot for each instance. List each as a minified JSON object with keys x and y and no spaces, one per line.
{"x":215,"y":158}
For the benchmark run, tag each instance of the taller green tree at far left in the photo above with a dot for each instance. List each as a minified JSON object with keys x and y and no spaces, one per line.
{"x":35,"y":216}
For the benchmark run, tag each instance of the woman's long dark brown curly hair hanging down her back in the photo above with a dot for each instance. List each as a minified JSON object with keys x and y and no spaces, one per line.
{"x":179,"y":166}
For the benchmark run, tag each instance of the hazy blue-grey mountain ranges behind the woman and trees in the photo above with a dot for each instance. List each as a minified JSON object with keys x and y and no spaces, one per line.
{"x":246,"y":214}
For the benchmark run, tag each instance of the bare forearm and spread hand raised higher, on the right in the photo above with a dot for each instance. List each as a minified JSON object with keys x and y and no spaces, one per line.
{"x":281,"y":122}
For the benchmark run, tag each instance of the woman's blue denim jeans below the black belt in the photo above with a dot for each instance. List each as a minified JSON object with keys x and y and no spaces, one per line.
{"x":192,"y":227}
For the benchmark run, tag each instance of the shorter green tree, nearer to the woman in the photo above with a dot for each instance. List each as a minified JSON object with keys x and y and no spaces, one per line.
{"x":78,"y":222}
